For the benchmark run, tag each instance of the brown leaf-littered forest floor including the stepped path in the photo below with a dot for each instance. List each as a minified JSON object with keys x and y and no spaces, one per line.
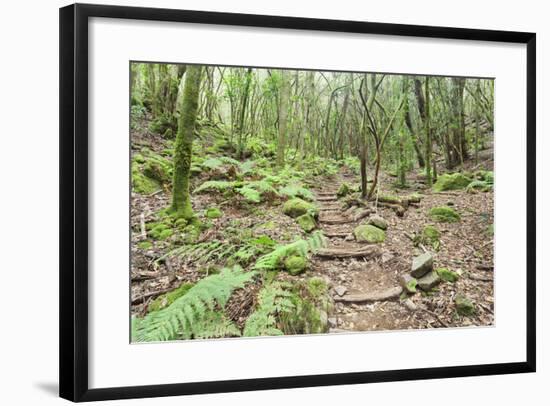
{"x":466,"y":247}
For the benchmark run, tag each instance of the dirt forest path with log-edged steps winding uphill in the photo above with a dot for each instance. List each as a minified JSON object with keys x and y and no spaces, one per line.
{"x":364,"y":277}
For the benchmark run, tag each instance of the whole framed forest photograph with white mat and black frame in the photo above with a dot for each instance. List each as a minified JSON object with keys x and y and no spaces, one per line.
{"x":257,"y":202}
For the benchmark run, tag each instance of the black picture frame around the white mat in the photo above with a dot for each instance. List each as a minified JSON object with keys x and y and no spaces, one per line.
{"x":73,"y":254}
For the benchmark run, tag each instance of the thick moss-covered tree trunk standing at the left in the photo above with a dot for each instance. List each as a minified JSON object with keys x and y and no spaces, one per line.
{"x":181,"y":202}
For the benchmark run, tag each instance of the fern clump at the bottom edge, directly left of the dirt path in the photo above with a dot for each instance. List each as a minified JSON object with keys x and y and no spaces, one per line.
{"x":272,"y":299}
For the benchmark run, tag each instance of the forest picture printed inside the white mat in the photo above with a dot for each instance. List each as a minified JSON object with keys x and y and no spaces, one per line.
{"x":269,"y":202}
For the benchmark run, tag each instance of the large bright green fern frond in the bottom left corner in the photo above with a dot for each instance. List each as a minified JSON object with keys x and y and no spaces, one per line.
{"x":194,"y":314}
